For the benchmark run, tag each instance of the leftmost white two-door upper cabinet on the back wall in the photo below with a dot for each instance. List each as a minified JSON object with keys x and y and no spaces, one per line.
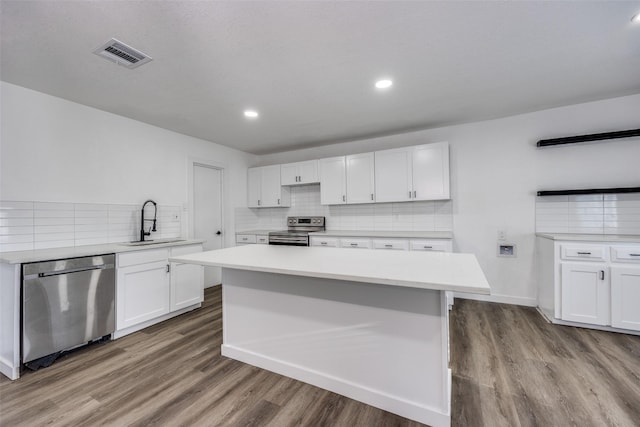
{"x":264,"y":189}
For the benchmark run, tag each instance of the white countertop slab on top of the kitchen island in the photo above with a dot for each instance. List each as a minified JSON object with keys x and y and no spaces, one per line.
{"x":426,"y":270}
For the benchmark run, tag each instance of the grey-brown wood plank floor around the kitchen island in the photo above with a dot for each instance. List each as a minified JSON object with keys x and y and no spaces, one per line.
{"x":510,"y":368}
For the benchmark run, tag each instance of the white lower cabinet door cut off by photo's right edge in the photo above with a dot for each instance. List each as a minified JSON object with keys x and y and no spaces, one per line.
{"x":625,"y":297}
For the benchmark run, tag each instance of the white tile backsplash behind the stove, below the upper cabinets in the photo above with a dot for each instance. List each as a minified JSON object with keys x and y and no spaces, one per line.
{"x":305,"y":200}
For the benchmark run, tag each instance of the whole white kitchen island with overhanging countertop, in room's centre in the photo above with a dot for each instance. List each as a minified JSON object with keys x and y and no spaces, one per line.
{"x":370,"y":325}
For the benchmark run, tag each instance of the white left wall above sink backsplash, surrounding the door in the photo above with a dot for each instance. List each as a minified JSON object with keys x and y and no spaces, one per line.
{"x":53,"y":150}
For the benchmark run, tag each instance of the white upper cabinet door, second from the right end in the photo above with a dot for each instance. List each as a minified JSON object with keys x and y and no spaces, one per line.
{"x":393,"y":176}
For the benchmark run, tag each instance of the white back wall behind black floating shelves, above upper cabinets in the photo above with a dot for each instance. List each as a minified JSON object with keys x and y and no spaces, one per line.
{"x":496,"y":170}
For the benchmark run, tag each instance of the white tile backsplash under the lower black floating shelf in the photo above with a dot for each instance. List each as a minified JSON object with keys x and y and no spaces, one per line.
{"x":589,"y":214}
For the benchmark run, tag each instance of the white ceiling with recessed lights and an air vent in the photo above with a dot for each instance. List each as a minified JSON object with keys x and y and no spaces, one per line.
{"x":309,"y":67}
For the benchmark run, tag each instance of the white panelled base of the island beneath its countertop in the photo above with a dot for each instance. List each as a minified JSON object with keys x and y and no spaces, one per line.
{"x":382,"y":345}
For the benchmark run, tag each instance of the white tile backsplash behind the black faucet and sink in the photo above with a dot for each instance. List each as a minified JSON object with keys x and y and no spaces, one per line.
{"x":43,"y":225}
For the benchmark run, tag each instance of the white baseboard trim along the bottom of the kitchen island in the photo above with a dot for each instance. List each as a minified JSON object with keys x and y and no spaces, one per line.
{"x":378,"y":399}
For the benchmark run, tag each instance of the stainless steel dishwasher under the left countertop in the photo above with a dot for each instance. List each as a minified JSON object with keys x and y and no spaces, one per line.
{"x":65,"y":303}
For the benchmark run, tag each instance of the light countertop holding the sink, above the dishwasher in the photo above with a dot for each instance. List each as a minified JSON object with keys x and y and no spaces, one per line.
{"x":20,"y":257}
